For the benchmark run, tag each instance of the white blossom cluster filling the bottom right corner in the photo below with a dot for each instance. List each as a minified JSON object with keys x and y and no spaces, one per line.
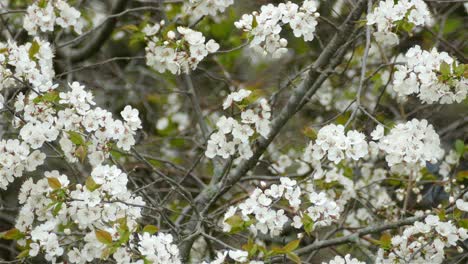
{"x":423,"y":242}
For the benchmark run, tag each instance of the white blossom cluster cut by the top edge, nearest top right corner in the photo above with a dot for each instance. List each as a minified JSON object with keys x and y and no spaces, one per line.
{"x":392,"y":14}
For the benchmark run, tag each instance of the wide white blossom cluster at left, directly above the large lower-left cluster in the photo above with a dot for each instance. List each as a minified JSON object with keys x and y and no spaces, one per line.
{"x":85,"y":130}
